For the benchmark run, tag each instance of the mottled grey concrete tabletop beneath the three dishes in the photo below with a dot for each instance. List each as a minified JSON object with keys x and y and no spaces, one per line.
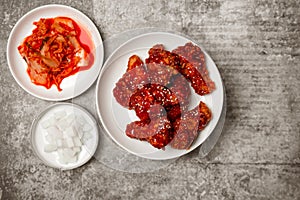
{"x":255,"y":44}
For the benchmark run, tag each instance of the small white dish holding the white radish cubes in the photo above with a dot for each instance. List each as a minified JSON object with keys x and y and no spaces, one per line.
{"x":38,"y":133}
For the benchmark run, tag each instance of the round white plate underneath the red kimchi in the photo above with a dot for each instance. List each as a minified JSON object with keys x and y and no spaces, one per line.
{"x":71,"y":86}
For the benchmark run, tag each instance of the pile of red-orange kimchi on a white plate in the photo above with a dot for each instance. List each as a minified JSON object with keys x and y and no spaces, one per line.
{"x":54,"y":51}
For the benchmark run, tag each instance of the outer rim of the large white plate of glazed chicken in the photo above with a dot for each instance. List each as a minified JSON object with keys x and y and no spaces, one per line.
{"x":97,"y":96}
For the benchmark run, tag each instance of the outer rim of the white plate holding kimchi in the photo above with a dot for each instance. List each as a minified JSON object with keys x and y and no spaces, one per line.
{"x":31,"y":12}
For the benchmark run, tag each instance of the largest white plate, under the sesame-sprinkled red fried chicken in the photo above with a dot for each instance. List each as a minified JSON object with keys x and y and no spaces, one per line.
{"x":114,"y":117}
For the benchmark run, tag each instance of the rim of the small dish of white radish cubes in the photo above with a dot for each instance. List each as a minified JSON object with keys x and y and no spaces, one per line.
{"x":33,"y":133}
